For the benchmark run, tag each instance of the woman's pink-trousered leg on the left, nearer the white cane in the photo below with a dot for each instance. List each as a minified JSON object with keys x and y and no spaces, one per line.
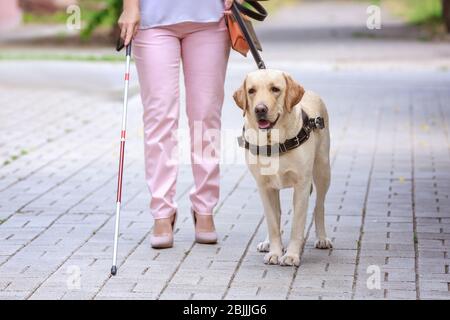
{"x":157,"y":56}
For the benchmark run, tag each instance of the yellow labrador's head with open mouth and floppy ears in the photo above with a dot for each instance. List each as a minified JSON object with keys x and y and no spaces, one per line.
{"x":266,"y":96}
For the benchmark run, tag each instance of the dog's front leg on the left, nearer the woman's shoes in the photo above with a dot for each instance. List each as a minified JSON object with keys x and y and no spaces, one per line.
{"x":271,"y":201}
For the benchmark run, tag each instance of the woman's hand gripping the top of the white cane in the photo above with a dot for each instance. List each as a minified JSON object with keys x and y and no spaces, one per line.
{"x":129,"y":20}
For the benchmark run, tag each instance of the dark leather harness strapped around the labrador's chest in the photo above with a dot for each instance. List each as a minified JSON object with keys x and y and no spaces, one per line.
{"x":309,"y":124}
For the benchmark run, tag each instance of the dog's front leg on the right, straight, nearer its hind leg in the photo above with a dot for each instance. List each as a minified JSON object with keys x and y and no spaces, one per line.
{"x":301,"y":197}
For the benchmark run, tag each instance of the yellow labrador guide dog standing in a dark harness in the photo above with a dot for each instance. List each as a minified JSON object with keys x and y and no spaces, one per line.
{"x":287,"y":141}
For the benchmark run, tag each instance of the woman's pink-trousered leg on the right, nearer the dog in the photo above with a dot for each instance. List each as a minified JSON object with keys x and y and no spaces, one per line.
{"x":205,"y":50}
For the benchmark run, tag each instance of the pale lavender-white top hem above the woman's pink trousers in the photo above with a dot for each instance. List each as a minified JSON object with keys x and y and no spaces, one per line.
{"x":166,"y":12}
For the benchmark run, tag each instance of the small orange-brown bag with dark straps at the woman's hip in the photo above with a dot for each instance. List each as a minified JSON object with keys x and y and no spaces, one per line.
{"x":237,"y":38}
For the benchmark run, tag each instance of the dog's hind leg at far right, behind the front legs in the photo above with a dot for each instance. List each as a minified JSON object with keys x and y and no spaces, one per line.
{"x":321,"y":177}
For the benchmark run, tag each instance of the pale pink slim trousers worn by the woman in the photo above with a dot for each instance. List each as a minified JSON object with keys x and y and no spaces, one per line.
{"x":204,"y":50}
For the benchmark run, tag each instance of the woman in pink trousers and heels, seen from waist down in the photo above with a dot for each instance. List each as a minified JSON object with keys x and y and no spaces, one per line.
{"x":165,"y":32}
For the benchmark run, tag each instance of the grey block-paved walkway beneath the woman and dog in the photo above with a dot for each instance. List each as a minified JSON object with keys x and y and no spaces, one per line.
{"x":387,"y":211}
